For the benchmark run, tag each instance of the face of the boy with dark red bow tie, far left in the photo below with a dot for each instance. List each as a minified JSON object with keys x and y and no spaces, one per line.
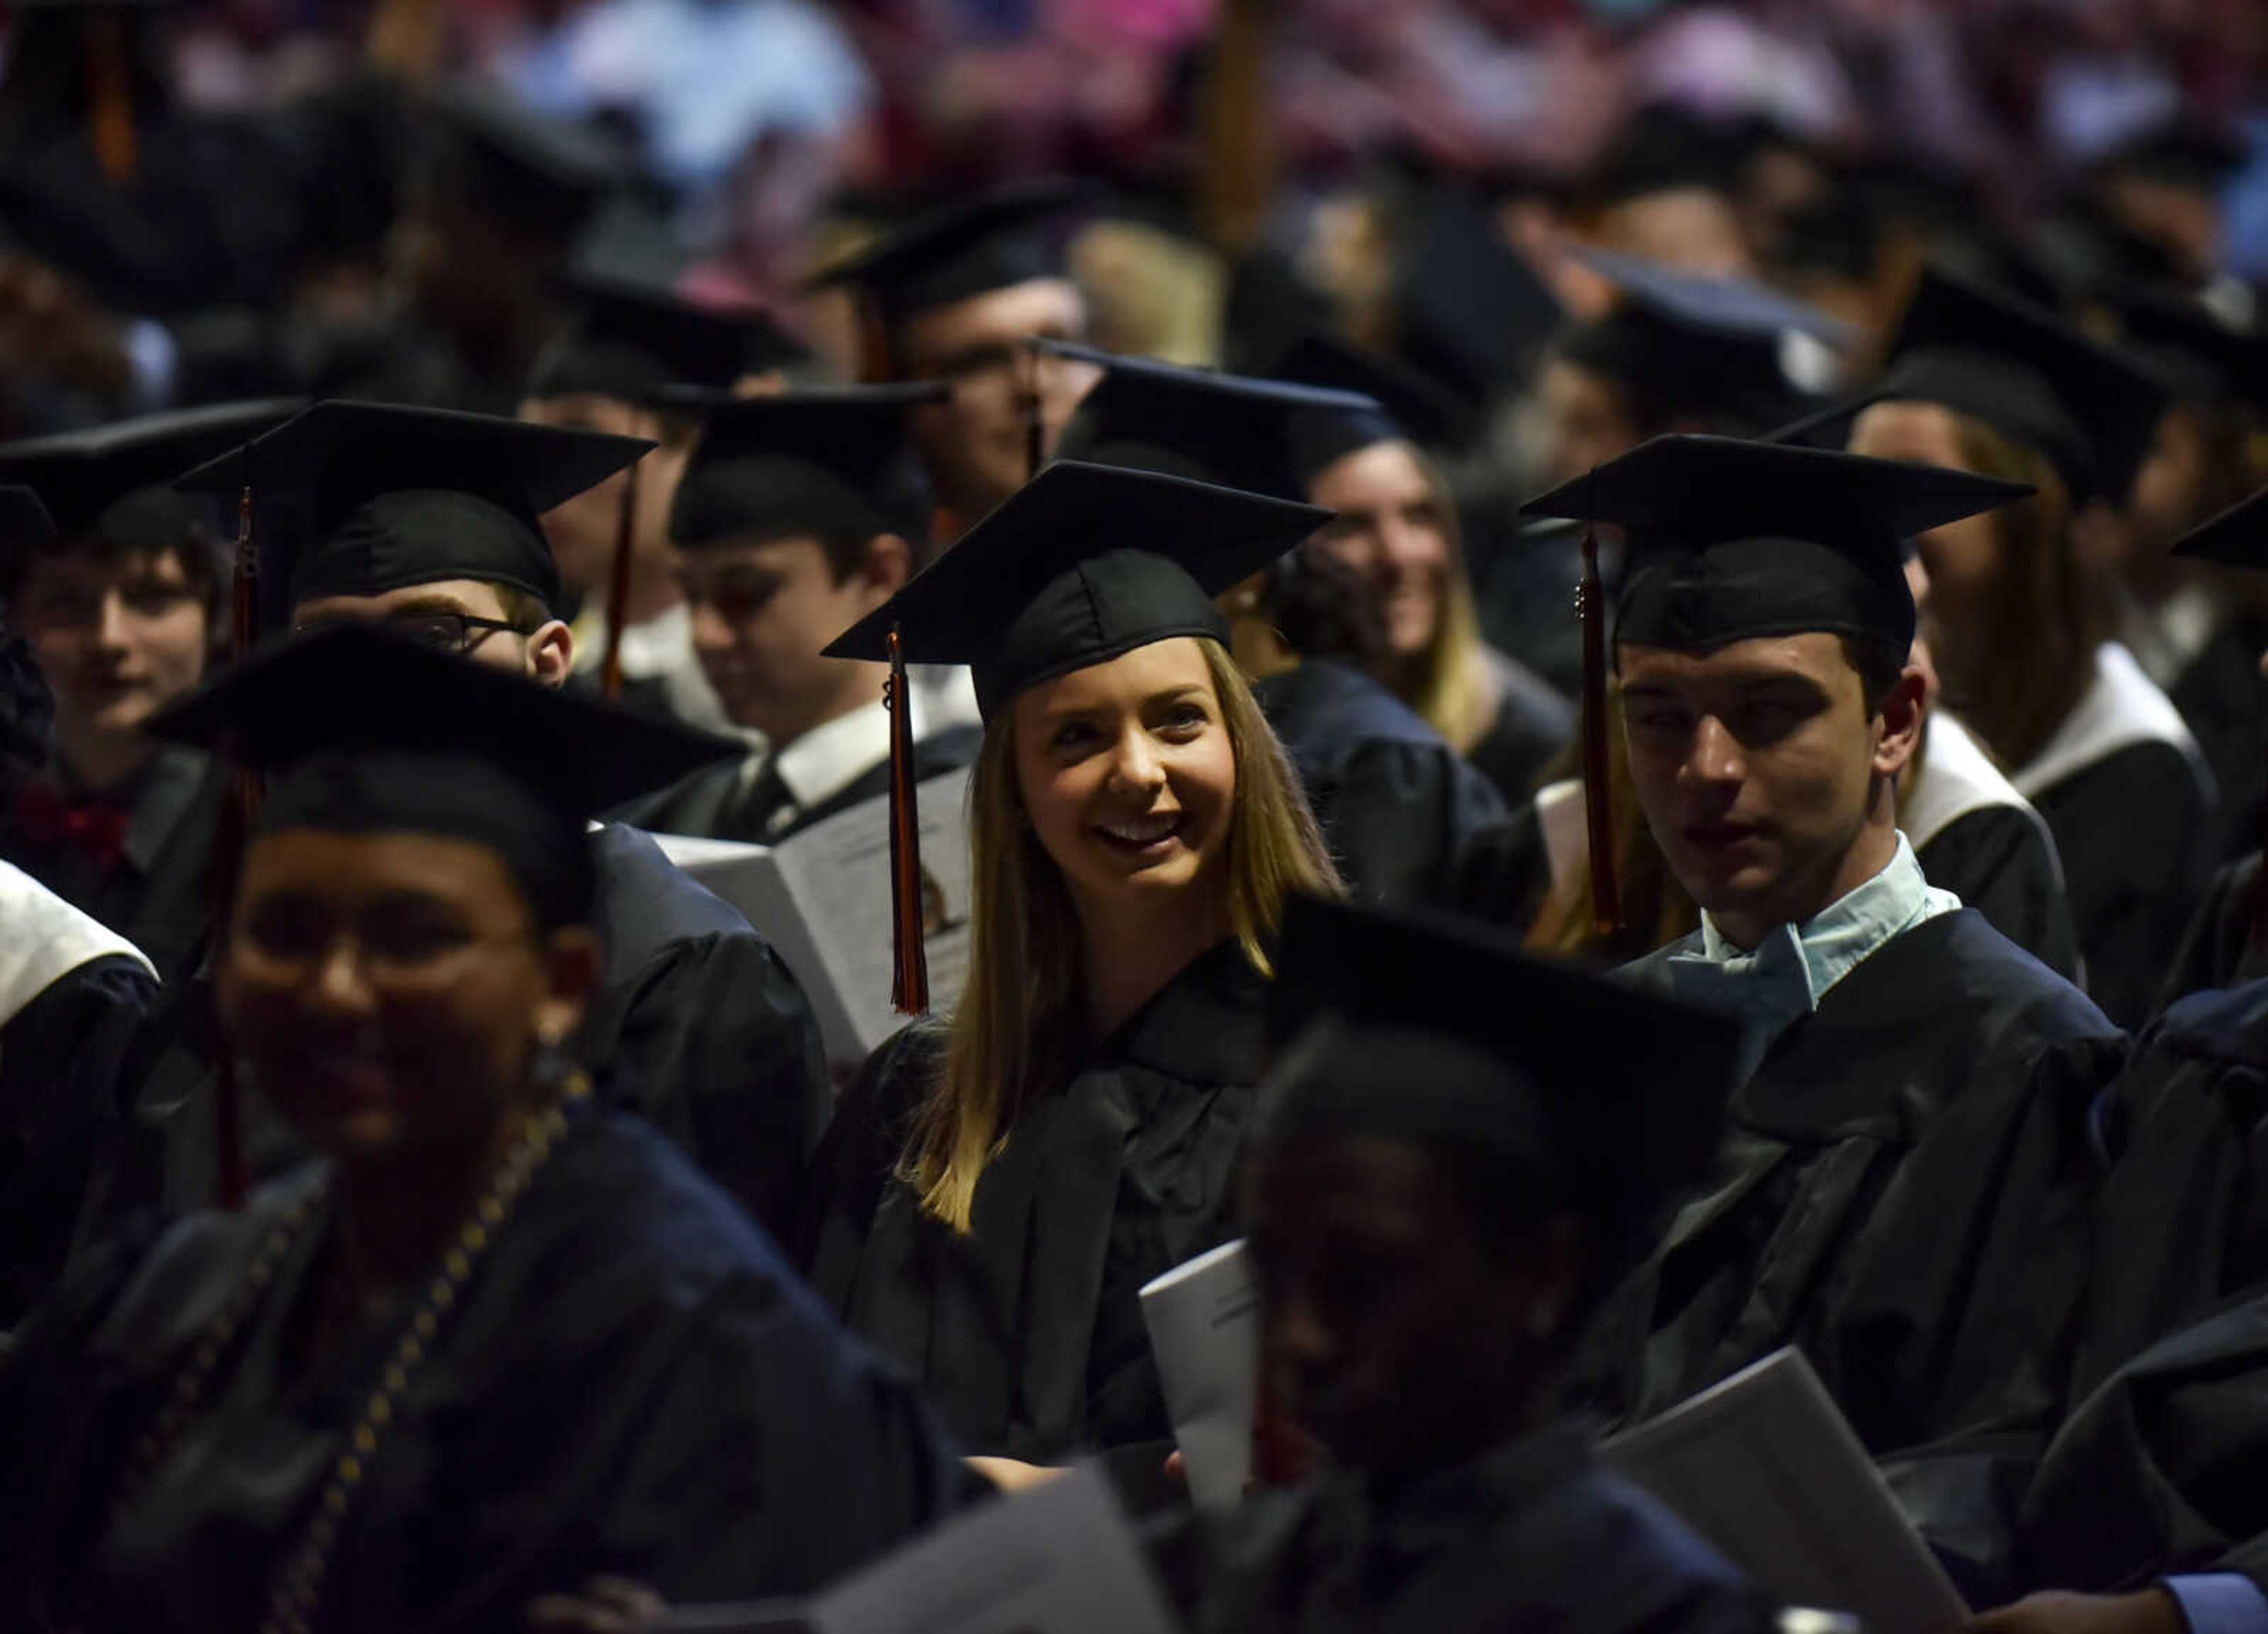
{"x":117,"y":640}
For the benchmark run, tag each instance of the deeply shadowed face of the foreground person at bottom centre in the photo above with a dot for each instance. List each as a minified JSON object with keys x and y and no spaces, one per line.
{"x":1396,"y":1329}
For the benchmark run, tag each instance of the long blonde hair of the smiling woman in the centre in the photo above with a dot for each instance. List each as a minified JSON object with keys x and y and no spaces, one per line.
{"x":1019,"y":1028}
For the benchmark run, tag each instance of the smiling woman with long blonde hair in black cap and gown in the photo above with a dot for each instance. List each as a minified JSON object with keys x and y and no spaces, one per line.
{"x":999,"y":1186}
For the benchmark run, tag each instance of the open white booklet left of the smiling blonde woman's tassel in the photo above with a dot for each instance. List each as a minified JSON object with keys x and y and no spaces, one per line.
{"x":822,"y":901}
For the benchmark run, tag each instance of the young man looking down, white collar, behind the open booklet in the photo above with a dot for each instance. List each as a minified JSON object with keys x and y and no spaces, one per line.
{"x":797,"y":518}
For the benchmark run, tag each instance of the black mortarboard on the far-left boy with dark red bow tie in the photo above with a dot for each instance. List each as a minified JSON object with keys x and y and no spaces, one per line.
{"x":85,"y":475}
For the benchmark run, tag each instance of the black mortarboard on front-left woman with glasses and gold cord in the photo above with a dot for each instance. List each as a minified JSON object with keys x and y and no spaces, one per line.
{"x":362,"y":731}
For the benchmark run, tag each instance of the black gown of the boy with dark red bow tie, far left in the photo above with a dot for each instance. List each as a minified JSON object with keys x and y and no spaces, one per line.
{"x":160,"y":894}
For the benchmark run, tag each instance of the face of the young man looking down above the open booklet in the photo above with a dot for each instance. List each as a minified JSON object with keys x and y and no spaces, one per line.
{"x":763,"y":615}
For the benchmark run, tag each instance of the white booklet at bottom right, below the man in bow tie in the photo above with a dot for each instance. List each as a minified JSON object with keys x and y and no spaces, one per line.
{"x":1770,"y":1472}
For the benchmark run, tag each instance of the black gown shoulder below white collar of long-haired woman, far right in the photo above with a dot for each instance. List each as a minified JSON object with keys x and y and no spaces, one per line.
{"x":2138,"y":835}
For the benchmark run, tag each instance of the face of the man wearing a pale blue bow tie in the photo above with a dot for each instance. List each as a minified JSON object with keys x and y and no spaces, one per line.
{"x":1754,"y":767}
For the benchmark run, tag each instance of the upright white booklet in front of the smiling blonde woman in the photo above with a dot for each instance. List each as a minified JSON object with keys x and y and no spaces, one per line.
{"x":1205,"y":1331}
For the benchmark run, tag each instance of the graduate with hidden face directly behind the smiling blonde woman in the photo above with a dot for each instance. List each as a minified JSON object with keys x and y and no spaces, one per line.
{"x":1396,"y":803}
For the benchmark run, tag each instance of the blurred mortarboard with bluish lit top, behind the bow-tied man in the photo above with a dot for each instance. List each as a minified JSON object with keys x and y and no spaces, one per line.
{"x":1711,"y":348}
